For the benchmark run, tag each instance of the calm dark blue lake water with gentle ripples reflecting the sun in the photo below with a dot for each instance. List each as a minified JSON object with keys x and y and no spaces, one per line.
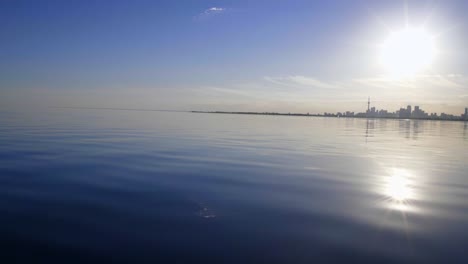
{"x":167,"y":187}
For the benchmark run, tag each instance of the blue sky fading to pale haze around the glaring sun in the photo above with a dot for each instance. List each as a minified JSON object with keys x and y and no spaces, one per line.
{"x":308,"y":56}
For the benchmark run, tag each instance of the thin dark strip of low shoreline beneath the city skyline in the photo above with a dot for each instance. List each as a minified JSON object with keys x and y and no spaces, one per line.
{"x":321,"y":115}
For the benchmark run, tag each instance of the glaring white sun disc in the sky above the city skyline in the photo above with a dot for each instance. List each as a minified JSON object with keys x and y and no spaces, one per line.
{"x":408,"y":51}
